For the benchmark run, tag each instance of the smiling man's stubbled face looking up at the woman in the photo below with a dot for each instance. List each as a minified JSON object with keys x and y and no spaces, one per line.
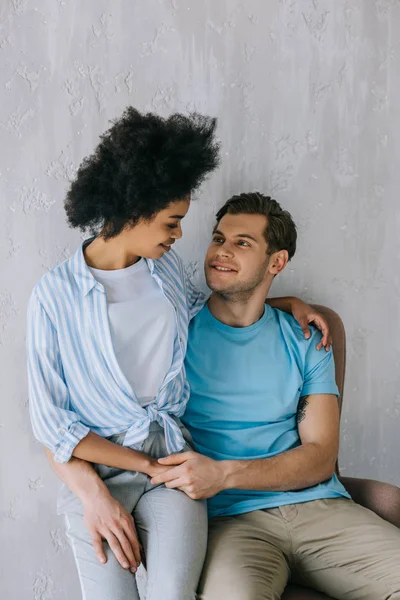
{"x":236,"y":261}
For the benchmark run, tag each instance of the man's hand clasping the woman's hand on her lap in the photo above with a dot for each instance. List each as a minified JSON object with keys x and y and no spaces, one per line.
{"x":196,"y":475}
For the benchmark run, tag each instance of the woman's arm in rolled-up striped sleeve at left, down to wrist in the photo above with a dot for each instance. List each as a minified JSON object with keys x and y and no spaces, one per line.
{"x":54,"y":424}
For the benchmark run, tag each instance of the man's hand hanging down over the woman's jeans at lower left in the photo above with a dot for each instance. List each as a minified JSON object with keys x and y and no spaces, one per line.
{"x":107,"y":519}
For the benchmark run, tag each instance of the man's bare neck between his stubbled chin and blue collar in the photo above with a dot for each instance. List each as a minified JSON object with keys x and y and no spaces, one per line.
{"x":236,"y":312}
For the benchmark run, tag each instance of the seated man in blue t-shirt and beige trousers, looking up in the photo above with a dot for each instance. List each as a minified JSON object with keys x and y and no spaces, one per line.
{"x":264,"y":418}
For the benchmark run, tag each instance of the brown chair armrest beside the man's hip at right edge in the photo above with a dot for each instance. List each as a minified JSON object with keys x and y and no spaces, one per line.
{"x":382,"y":498}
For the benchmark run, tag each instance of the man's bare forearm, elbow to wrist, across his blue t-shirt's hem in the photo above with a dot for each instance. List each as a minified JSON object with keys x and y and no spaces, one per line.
{"x":295,"y":469}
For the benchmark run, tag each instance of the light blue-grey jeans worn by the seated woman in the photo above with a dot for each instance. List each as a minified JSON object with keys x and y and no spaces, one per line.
{"x":171,"y":527}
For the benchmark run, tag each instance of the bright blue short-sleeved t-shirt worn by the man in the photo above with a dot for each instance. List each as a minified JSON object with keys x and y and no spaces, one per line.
{"x":246,"y":383}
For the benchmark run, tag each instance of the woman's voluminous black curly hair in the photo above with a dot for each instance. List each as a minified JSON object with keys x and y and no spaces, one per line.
{"x":142,"y":164}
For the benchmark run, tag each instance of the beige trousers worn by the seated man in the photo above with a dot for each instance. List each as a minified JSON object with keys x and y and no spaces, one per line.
{"x":334,"y":546}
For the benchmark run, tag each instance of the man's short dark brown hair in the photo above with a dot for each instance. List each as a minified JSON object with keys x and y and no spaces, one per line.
{"x":280,"y":233}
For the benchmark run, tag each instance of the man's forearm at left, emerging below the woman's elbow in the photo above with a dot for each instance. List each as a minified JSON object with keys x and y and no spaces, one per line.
{"x":79,"y":476}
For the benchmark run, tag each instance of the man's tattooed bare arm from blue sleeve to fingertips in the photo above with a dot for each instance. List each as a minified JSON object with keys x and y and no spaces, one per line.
{"x":309,"y":464}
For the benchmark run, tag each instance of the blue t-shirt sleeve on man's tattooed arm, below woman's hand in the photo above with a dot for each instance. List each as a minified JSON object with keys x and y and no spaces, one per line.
{"x":319,"y":368}
